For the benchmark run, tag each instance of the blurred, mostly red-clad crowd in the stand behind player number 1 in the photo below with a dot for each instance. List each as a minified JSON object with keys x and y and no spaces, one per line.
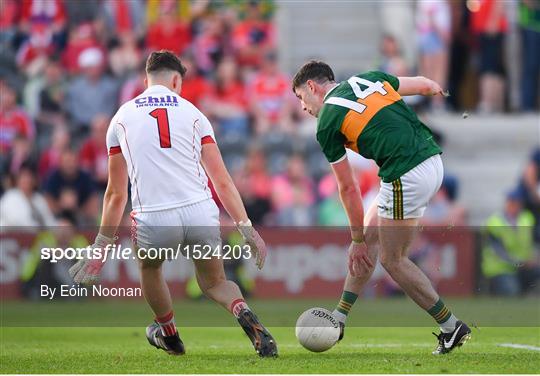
{"x":66,"y":66}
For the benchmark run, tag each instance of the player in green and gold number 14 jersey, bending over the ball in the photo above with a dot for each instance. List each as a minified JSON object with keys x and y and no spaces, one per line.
{"x":367,"y":115}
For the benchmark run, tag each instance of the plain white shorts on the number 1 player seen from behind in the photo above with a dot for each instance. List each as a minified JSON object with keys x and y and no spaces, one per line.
{"x":193,"y":224}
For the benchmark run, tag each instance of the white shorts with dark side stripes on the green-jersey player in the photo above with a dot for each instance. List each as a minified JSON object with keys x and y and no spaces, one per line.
{"x":408,"y":196}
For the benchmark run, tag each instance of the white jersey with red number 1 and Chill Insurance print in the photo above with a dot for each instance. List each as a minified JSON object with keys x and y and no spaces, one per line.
{"x":160,"y":135}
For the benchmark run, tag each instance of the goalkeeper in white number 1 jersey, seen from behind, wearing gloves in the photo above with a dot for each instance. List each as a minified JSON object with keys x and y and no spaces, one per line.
{"x":165,"y":145}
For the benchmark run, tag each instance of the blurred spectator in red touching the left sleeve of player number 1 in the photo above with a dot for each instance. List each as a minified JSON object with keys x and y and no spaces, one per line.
{"x":93,"y":155}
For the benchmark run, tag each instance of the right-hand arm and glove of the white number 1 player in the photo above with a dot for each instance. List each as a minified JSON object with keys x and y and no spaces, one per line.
{"x":231,"y":200}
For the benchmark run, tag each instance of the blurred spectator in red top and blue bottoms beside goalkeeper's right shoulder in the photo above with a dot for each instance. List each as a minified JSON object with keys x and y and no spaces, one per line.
{"x":228,"y":101}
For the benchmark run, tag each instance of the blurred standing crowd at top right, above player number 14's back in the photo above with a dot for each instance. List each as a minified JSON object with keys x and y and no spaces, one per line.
{"x":486,"y":52}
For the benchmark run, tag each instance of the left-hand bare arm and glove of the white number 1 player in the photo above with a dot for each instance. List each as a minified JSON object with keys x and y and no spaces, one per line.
{"x":87,"y":270}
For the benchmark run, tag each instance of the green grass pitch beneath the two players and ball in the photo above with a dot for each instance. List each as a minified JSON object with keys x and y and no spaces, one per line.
{"x":221,"y":347}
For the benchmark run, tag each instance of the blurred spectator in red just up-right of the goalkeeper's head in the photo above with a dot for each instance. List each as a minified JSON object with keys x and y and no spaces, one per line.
{"x":209,"y":46}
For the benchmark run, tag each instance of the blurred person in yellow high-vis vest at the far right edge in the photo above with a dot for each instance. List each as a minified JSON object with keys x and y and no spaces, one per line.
{"x":509,"y":259}
